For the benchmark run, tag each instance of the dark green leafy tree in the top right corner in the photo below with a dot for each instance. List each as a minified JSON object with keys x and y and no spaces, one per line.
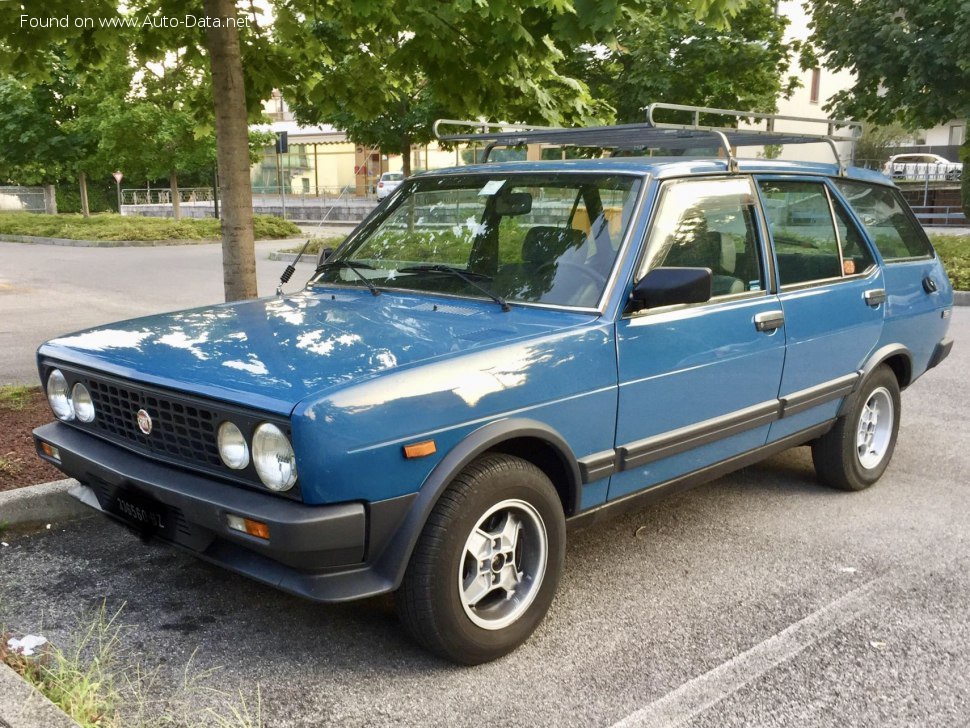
{"x":910,"y":58}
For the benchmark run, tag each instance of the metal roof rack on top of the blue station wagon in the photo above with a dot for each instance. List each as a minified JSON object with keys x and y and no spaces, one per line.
{"x":656,"y":134}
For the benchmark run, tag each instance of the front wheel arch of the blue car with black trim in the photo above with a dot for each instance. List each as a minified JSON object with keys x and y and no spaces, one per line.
{"x":529,"y":439}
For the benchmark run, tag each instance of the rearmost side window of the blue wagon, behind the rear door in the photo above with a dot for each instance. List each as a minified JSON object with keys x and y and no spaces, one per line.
{"x":883,"y":214}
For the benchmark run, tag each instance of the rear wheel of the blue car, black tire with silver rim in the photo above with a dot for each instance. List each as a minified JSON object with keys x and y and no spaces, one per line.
{"x":856,"y":452}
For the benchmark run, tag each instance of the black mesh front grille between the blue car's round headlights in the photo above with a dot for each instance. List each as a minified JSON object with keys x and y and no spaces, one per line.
{"x":179,"y":429}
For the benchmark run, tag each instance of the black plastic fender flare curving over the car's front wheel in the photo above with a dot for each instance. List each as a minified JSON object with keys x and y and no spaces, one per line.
{"x":393,"y":560}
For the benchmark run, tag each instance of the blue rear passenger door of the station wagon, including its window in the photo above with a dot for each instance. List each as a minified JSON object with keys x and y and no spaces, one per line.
{"x":831,"y":292}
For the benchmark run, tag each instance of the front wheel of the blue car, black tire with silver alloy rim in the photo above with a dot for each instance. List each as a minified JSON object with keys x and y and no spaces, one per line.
{"x":487,"y":565}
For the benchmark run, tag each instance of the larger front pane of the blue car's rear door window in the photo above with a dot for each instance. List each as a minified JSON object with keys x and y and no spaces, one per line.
{"x":800,"y":220}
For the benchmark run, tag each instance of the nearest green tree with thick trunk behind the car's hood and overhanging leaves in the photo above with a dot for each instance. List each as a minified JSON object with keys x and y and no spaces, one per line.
{"x":491,"y":58}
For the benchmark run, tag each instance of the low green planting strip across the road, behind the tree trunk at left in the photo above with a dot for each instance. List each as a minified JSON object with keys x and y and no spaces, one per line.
{"x":110,"y":226}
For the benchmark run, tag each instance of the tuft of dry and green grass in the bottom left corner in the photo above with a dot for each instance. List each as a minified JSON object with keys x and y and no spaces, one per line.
{"x":97,"y":685}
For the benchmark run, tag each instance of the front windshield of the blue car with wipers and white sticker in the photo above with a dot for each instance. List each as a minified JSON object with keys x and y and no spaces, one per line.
{"x":527,"y":238}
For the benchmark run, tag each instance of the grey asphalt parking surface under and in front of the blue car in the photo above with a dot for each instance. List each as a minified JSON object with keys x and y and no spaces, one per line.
{"x":761,"y":599}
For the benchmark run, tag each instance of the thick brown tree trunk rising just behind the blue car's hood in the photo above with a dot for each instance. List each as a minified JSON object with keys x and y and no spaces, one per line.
{"x":232,"y":151}
